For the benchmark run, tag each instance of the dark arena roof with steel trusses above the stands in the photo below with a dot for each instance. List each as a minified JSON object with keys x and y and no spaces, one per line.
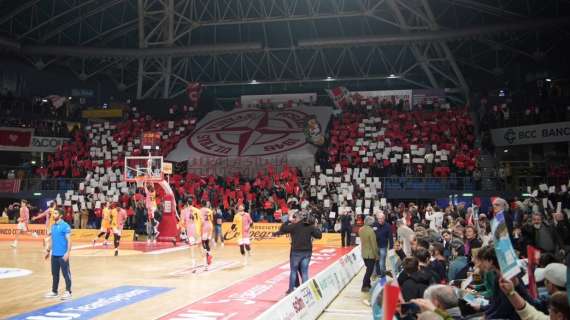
{"x":155,"y":47}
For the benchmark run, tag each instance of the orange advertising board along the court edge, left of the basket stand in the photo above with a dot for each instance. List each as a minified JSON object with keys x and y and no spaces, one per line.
{"x":8,"y":232}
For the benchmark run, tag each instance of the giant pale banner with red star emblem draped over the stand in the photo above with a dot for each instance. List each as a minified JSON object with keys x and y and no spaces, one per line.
{"x":248,"y":140}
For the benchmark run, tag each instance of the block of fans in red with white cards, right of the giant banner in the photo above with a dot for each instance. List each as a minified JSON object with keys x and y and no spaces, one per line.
{"x":404,"y":143}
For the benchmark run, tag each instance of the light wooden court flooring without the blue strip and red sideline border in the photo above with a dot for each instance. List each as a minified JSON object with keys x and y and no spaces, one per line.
{"x":96,"y":269}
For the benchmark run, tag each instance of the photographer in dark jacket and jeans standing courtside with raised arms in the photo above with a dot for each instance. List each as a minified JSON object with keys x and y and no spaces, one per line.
{"x":302,"y":229}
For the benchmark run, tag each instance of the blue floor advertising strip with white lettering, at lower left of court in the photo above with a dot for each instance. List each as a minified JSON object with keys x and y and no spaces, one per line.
{"x":95,"y":305}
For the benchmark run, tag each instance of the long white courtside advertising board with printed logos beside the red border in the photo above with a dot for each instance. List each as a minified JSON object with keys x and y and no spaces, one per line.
{"x":310,"y":299}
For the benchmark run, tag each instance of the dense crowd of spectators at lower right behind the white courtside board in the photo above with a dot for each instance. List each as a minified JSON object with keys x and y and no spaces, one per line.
{"x":446,"y":265}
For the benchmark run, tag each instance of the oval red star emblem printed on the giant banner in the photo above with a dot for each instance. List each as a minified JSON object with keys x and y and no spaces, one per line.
{"x":251,"y":133}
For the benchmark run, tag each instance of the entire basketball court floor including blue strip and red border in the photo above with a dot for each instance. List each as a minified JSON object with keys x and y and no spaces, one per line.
{"x":149,"y":282}
